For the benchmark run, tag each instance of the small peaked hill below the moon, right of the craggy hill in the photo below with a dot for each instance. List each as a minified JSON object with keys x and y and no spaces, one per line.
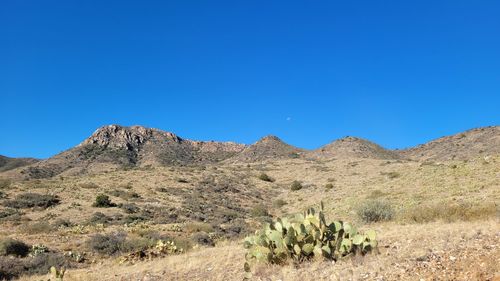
{"x":269,"y":147}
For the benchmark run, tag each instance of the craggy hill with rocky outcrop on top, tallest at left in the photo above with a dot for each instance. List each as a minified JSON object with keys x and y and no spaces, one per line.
{"x":117,"y":147}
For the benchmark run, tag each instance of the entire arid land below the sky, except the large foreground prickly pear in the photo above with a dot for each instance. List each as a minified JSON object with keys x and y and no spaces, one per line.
{"x":100,"y":208}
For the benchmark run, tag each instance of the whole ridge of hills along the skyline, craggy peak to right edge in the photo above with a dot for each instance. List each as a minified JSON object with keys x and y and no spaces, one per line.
{"x":117,"y":147}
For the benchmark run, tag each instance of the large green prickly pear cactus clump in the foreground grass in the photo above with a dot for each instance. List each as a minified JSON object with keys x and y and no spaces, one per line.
{"x":304,"y":236}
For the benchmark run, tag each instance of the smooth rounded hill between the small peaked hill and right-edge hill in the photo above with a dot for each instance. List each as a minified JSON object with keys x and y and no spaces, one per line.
{"x":352,"y":147}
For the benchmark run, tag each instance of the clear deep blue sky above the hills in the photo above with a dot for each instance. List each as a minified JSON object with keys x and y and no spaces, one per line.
{"x":396,"y":72}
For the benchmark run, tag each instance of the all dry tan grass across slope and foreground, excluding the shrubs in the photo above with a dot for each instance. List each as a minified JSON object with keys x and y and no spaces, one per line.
{"x":426,"y":196}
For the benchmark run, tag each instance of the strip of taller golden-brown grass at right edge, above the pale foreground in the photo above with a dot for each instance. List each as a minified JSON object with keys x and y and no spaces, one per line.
{"x":451,"y":211}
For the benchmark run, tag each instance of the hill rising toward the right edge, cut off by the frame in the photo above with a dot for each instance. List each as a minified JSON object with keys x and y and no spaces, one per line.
{"x":462,"y":146}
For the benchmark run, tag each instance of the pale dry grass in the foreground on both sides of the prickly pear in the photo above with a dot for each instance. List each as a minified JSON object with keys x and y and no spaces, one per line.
{"x":402,"y":249}
